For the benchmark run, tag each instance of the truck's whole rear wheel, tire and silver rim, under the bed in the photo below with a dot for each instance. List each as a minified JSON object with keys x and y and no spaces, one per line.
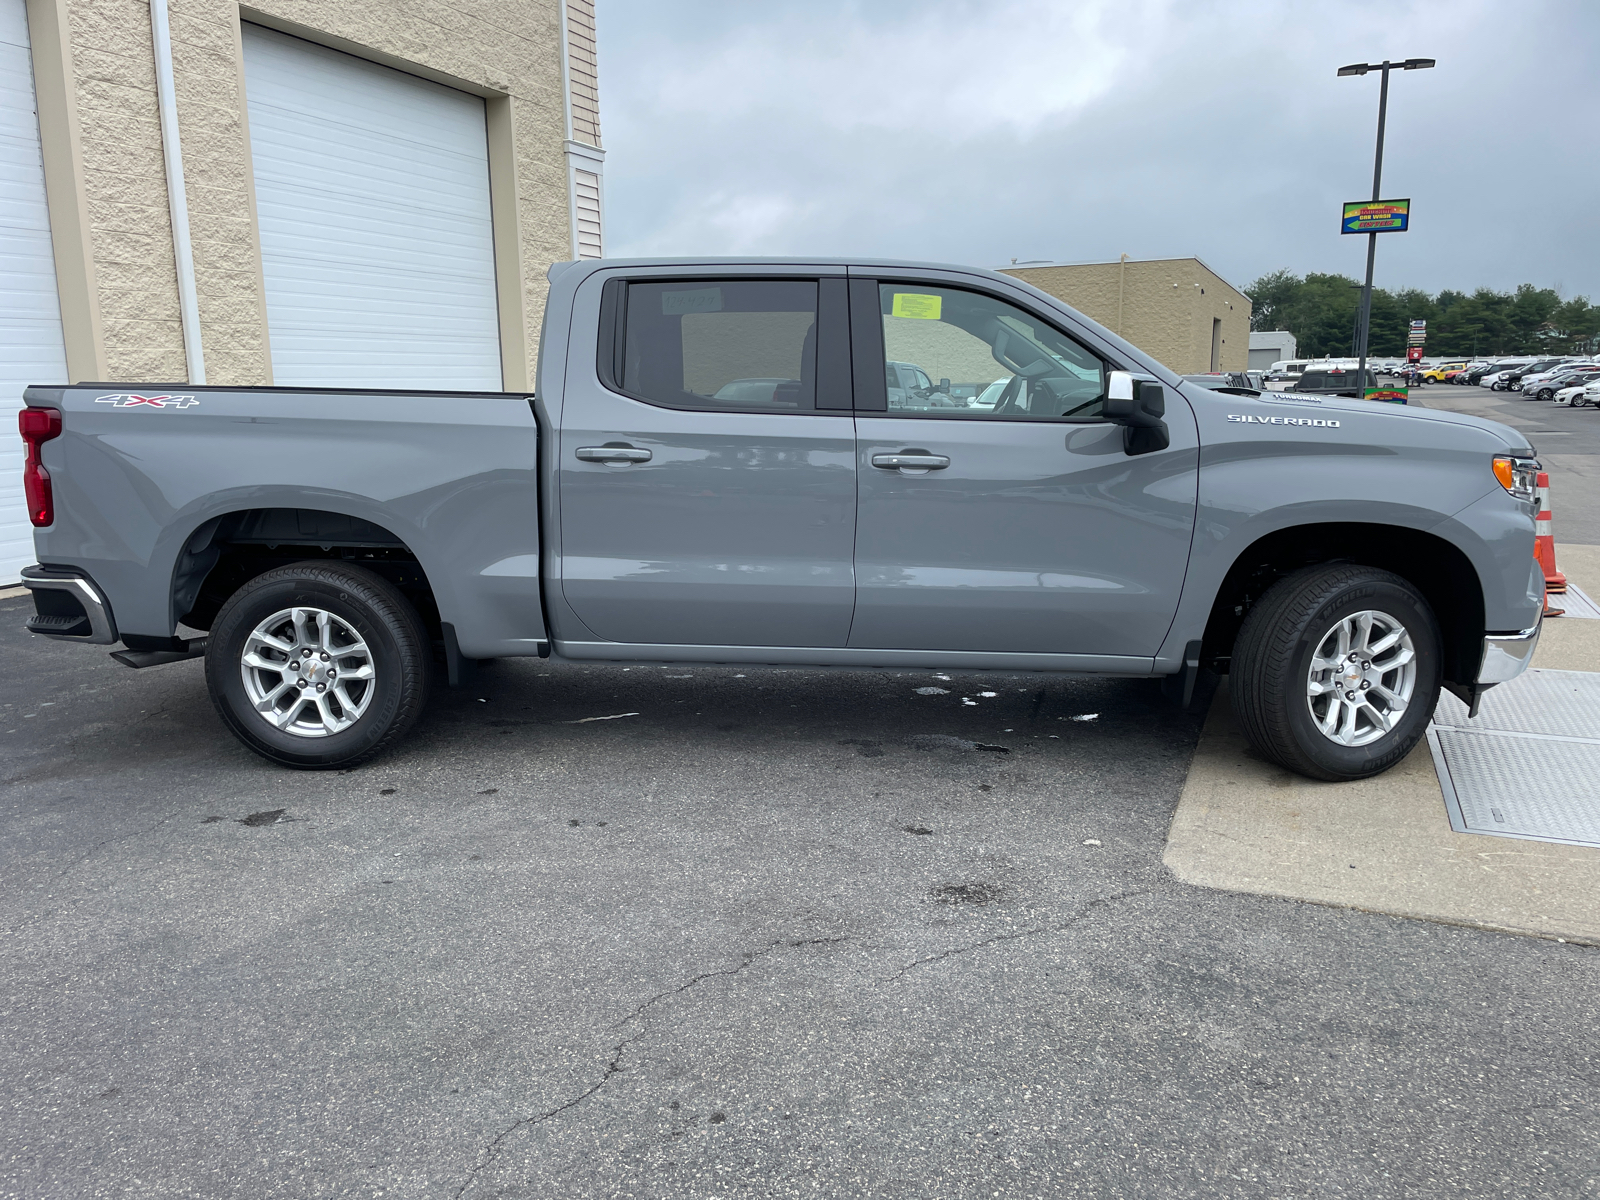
{"x":318,"y":665}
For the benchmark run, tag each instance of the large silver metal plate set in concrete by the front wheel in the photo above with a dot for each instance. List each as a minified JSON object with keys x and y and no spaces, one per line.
{"x":1529,"y":764}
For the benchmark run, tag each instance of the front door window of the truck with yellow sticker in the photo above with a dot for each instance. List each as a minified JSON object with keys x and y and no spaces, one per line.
{"x":993,"y":361}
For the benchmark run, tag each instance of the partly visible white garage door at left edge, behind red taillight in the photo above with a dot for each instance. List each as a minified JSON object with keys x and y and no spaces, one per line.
{"x":30,"y":311}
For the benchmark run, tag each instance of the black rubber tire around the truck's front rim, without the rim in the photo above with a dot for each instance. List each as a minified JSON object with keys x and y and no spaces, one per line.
{"x":1271,"y":670}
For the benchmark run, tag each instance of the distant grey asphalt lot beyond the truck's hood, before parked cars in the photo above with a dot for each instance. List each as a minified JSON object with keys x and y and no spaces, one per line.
{"x":1566,"y":439}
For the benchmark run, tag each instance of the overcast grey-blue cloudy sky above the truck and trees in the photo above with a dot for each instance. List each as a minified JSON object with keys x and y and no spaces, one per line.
{"x":1076,"y":130}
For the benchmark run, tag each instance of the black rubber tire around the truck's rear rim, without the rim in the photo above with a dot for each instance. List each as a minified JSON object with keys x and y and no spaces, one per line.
{"x":374,"y":610}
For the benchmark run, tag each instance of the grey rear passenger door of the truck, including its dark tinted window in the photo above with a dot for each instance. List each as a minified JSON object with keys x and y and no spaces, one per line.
{"x":708,"y":479}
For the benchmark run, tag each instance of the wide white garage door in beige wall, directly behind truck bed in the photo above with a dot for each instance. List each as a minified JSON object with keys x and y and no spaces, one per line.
{"x":374,"y":190}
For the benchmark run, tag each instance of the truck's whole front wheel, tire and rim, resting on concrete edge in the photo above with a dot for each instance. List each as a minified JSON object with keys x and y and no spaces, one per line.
{"x":1337,"y":671}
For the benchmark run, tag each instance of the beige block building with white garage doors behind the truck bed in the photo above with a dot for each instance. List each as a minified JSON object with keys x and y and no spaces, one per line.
{"x":297,"y":193}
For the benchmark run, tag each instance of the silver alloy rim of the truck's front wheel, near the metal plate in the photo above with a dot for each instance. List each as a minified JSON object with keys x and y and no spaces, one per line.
{"x":1361,"y":679}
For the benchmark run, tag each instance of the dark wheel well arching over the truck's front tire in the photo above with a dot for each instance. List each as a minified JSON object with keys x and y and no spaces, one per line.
{"x":1439,"y":570}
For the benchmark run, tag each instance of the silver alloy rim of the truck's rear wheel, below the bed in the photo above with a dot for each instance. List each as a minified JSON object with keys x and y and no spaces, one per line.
{"x":308,"y":673}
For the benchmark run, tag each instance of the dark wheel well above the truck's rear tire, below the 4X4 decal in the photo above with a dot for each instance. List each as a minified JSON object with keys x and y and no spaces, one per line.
{"x":230,"y":551}
